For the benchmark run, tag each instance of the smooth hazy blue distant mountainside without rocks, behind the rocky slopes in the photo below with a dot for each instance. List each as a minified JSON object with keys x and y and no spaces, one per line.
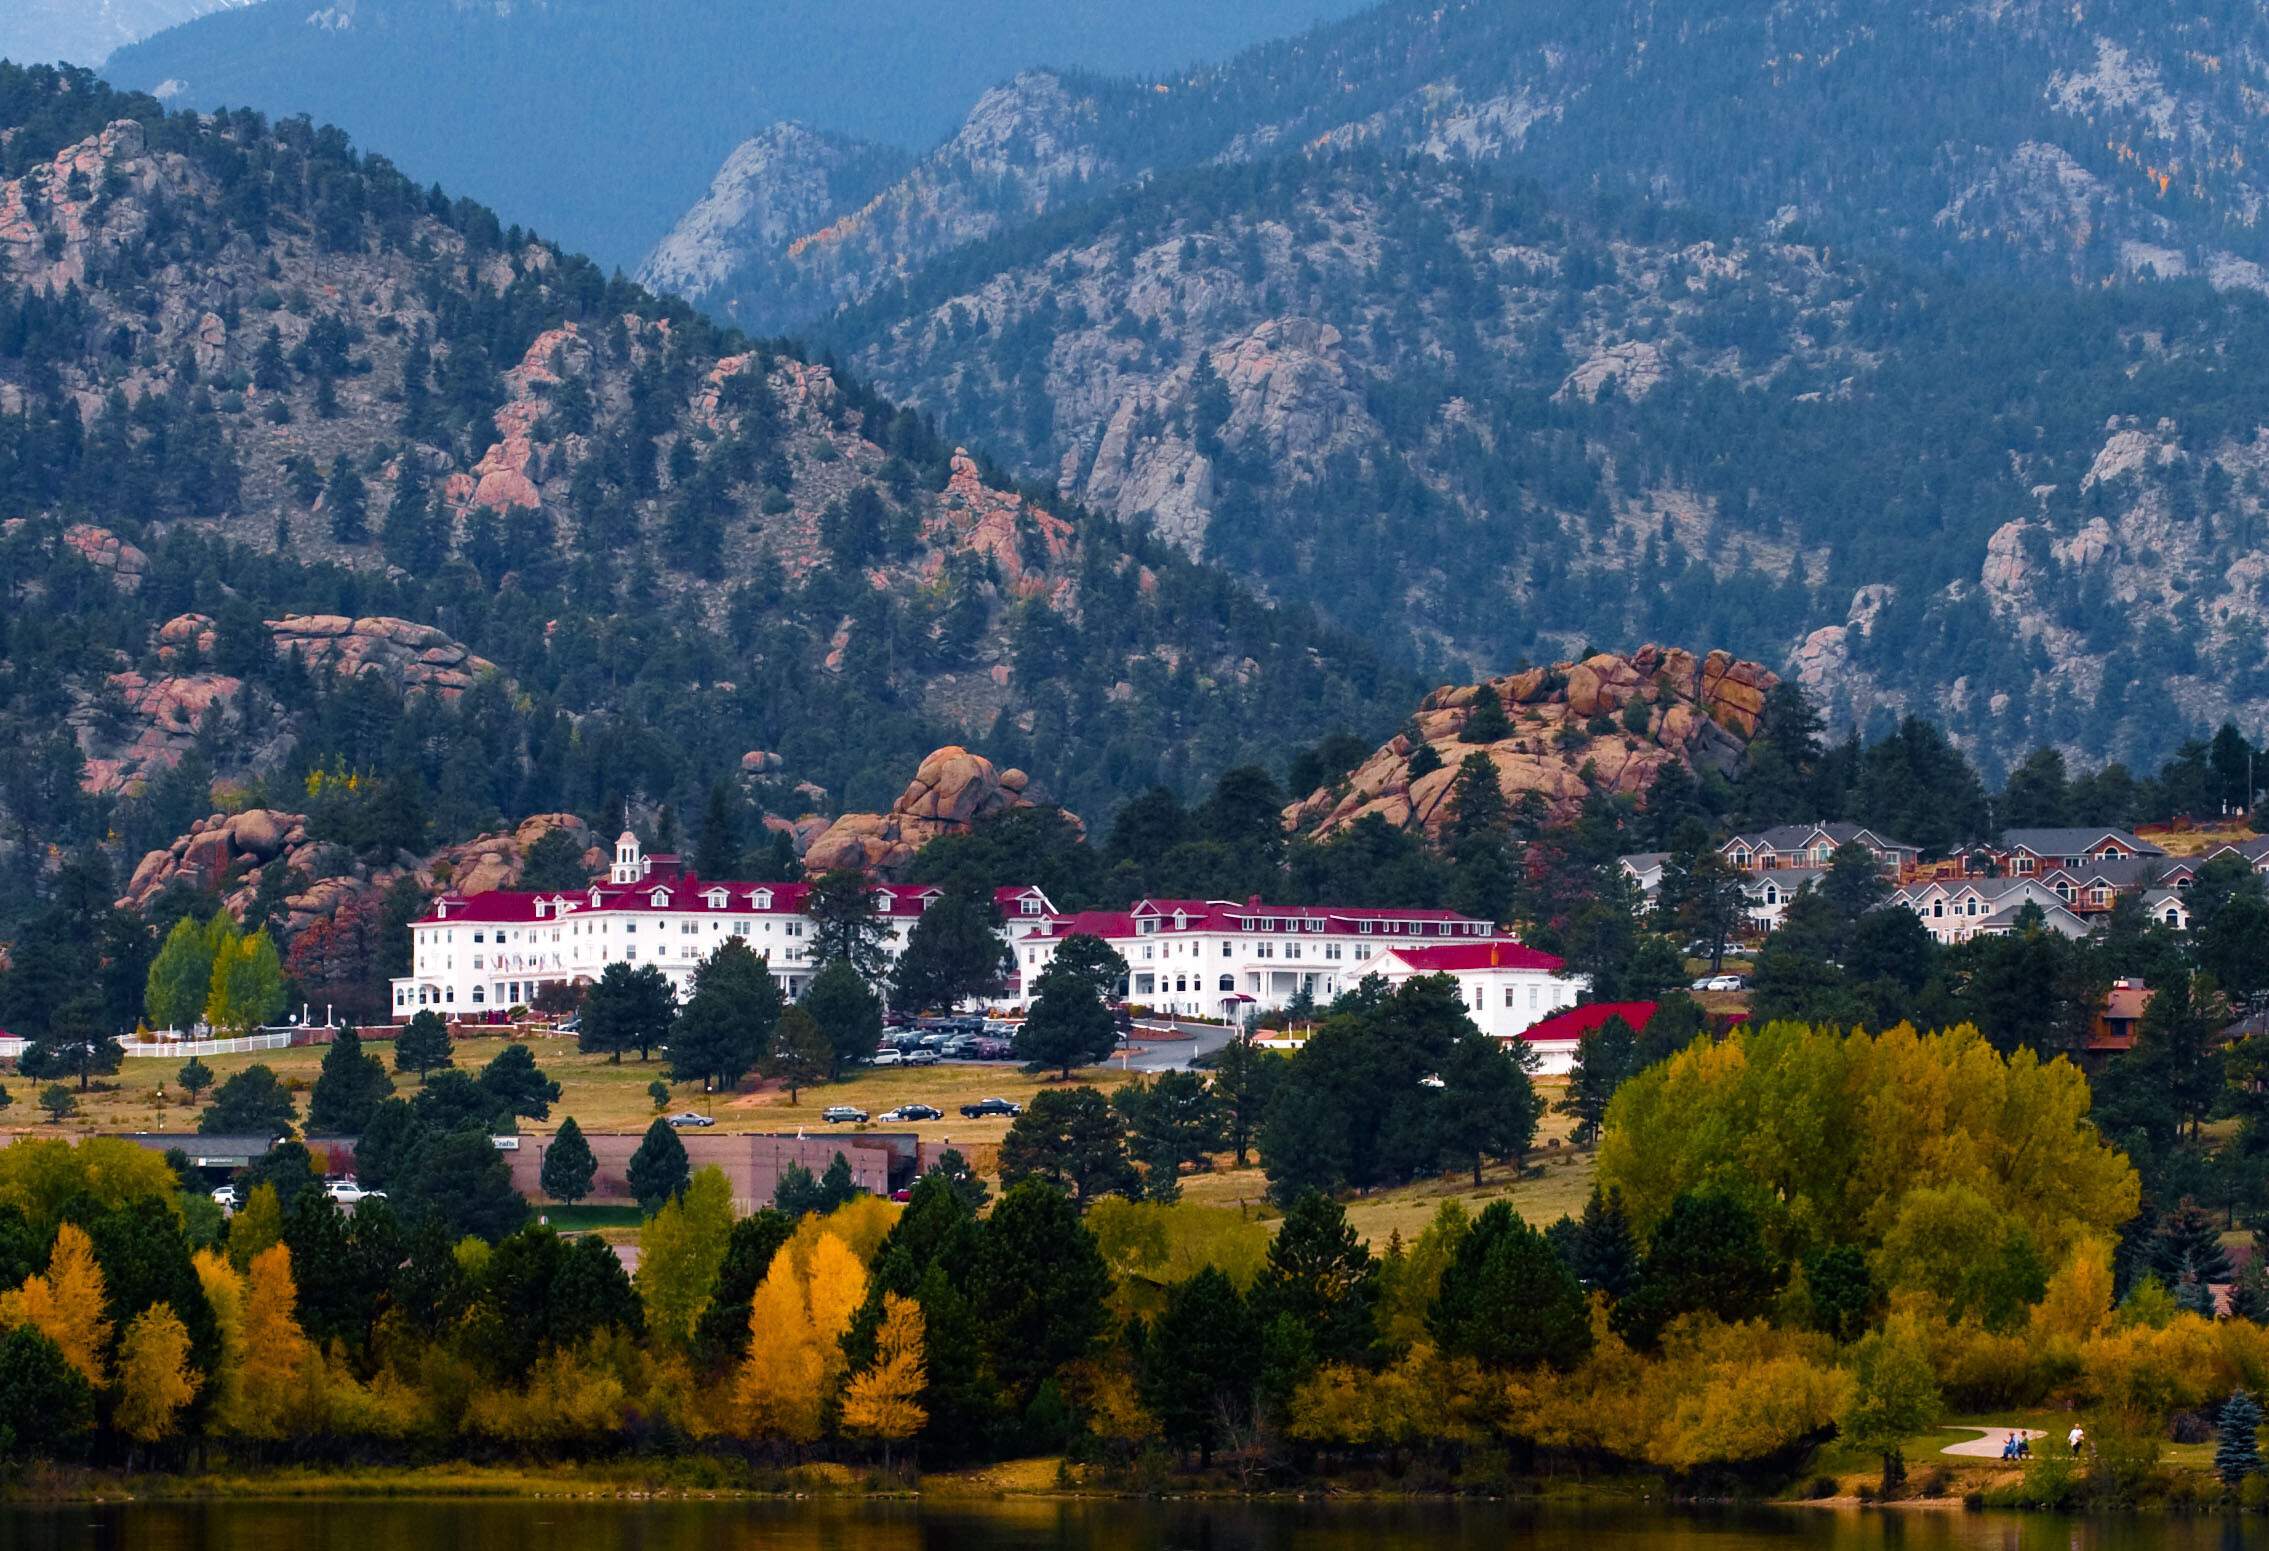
{"x":605,"y":121}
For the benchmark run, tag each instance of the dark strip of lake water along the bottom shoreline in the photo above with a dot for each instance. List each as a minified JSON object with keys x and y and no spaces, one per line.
{"x":1074,"y":1527}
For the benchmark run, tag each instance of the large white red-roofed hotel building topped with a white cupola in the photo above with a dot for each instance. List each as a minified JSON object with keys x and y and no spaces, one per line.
{"x":487,"y":954}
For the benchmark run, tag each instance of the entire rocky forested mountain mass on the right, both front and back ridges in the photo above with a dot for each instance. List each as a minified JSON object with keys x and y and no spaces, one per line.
{"x":1823,"y":332}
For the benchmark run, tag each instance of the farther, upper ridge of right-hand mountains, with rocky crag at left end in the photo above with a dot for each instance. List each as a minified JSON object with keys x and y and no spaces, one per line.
{"x":2014,"y":139}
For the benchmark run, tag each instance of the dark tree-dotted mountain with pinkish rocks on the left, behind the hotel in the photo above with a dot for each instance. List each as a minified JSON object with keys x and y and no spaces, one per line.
{"x":326,"y":482}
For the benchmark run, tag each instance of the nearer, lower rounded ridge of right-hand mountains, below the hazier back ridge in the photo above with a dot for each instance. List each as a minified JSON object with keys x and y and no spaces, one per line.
{"x":1456,"y":416}
